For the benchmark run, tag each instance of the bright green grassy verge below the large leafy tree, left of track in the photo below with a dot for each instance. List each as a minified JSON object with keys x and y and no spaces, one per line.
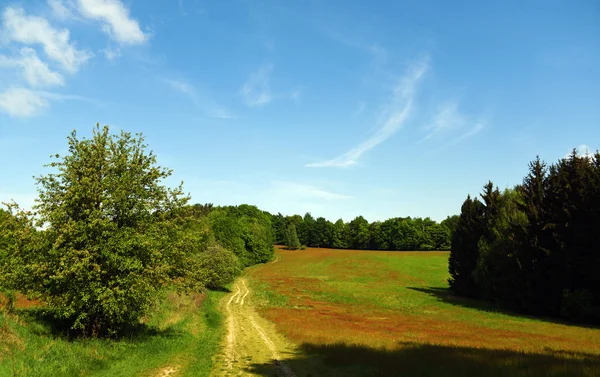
{"x":179,"y":335}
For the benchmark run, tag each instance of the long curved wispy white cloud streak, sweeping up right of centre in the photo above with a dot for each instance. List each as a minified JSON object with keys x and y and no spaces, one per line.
{"x":392,"y":117}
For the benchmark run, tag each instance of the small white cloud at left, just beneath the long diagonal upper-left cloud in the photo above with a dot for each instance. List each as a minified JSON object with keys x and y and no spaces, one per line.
{"x":36,"y":72}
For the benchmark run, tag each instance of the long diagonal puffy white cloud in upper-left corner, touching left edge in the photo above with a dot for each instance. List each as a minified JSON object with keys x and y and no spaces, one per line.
{"x":19,"y":27}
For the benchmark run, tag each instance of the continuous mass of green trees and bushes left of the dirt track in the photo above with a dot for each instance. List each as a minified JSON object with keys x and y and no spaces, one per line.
{"x":107,"y":240}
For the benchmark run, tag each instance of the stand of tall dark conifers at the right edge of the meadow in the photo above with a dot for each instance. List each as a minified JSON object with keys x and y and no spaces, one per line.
{"x":535,"y":248}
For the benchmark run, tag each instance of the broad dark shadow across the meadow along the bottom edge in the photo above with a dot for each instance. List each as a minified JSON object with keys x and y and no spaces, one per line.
{"x":422,"y":360}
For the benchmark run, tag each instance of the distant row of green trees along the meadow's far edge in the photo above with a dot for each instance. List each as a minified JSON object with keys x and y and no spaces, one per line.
{"x":400,"y":233}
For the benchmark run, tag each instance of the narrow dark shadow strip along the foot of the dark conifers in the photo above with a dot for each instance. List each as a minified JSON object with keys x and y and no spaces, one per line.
{"x":446,"y":295}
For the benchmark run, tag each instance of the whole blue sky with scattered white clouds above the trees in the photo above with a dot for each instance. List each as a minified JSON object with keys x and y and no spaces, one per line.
{"x":338,"y":108}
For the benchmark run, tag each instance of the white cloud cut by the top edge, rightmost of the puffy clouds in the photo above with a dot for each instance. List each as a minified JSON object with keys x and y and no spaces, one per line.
{"x":117,"y":22}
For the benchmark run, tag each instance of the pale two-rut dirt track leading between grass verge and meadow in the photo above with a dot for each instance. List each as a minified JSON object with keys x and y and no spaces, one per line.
{"x":252,"y":346}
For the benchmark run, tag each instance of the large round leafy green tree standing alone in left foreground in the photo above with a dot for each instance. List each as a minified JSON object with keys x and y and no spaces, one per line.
{"x":111,"y":237}
